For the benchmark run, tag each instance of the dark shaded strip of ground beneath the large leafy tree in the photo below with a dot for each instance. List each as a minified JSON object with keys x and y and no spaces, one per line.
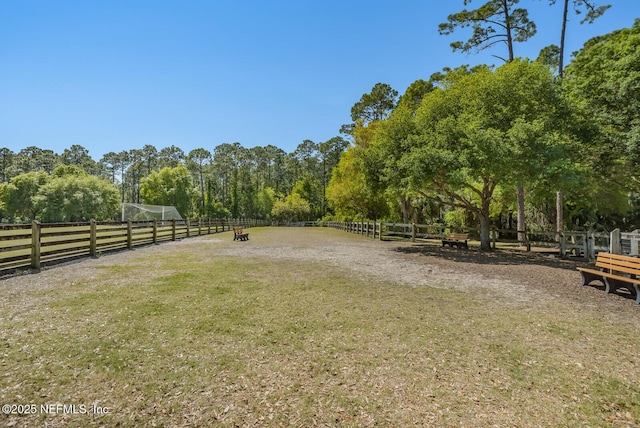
{"x":495,"y":257}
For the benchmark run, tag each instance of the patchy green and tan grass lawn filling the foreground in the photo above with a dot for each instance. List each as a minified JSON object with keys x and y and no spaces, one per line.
{"x":191,"y":338}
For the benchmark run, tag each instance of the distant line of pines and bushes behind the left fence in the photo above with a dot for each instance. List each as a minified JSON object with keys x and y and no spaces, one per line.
{"x":229,"y":181}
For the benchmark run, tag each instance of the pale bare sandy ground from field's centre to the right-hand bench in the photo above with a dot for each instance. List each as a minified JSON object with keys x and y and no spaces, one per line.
{"x":521,"y":278}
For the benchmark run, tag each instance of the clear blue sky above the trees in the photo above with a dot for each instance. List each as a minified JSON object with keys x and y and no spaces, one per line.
{"x":114,"y":75}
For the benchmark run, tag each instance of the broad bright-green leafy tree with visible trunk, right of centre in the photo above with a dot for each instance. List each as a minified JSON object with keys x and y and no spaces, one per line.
{"x":478,"y":130}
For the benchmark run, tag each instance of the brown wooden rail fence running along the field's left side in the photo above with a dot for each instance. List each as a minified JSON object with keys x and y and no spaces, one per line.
{"x":31,"y":245}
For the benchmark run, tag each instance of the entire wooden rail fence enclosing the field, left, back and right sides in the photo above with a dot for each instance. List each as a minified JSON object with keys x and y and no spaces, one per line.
{"x":31,"y":245}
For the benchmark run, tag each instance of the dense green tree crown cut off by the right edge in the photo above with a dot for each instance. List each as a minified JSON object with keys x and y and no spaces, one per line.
{"x":604,"y":81}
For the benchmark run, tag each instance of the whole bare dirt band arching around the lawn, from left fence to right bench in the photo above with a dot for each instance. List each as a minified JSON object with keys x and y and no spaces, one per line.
{"x":508,"y":277}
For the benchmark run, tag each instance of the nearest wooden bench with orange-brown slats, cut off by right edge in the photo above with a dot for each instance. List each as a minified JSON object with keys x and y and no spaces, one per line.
{"x":615,"y":271}
